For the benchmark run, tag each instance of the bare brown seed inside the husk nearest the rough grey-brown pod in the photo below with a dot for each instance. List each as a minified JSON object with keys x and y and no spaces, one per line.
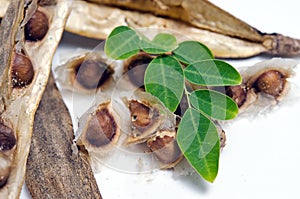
{"x":101,"y":128}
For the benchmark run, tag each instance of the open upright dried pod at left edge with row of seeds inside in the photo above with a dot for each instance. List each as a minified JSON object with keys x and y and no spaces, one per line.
{"x":25,"y":66}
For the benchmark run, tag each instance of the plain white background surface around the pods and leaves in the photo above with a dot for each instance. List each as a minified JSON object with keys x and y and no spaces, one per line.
{"x":261,"y":158}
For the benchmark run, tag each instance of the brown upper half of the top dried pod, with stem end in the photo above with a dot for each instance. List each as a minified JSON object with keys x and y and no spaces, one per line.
{"x":205,"y":15}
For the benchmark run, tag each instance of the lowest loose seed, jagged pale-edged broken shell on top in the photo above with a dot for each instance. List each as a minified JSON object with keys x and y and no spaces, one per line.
{"x":165,"y":147}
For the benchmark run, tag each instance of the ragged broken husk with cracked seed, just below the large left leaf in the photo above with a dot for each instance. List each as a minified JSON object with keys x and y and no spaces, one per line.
{"x":148,"y":115}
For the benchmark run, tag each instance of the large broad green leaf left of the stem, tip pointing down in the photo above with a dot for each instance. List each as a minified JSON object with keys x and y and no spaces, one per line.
{"x":164,"y":79}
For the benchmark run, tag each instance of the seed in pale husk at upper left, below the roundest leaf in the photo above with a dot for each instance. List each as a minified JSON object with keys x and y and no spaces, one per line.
{"x":85,"y":73}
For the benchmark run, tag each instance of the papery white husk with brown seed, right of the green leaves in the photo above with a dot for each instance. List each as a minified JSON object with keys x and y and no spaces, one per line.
{"x":257,"y":100}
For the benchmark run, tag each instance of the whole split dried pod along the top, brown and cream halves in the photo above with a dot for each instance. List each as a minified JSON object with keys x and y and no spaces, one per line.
{"x":230,"y":39}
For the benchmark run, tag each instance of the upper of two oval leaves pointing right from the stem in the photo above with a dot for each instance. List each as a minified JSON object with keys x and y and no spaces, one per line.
{"x":212,"y":73}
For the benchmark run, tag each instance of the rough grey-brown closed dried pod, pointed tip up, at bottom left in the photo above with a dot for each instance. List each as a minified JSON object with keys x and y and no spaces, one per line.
{"x":55,"y":169}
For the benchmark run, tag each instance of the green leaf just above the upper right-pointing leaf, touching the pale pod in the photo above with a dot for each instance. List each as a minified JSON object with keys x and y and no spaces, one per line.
{"x":190,"y":52}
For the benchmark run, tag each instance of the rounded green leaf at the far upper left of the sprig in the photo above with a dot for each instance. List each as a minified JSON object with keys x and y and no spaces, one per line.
{"x":122,"y":43}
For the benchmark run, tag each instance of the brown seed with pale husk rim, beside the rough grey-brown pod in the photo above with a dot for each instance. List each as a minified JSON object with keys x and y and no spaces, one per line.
{"x":101,"y":129}
